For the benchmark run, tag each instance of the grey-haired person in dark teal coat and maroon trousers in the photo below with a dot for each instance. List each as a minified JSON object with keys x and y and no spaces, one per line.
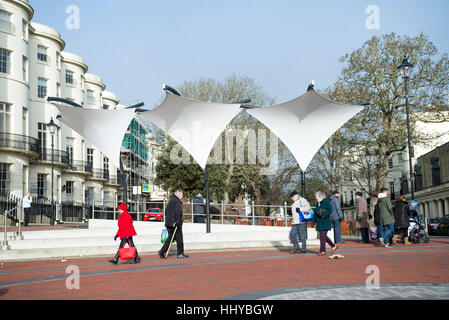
{"x":322,"y":220}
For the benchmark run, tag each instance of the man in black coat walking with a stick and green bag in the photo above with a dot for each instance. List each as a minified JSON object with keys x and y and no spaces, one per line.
{"x":173,"y":222}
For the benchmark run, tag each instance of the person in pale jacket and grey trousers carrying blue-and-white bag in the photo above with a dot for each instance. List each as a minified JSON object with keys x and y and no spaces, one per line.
{"x":299,"y":229}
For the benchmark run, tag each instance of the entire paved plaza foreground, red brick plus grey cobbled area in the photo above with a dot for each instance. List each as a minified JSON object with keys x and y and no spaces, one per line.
{"x":405,"y":272}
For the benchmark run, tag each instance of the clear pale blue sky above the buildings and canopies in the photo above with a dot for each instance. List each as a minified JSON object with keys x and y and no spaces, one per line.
{"x":137,"y":45}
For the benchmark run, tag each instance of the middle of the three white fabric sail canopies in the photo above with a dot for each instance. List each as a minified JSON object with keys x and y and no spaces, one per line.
{"x":195,"y":125}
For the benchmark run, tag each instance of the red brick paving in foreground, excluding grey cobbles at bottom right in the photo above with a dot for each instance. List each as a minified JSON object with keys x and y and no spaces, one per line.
{"x":425,"y":263}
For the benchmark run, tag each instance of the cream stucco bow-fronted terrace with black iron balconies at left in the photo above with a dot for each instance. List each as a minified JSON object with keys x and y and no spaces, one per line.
{"x":34,"y":66}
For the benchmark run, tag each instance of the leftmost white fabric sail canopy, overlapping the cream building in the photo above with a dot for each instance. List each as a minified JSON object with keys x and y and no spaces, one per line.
{"x":105,"y":129}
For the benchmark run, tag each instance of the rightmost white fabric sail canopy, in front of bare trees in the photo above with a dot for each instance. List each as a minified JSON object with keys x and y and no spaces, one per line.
{"x":304,"y":124}
